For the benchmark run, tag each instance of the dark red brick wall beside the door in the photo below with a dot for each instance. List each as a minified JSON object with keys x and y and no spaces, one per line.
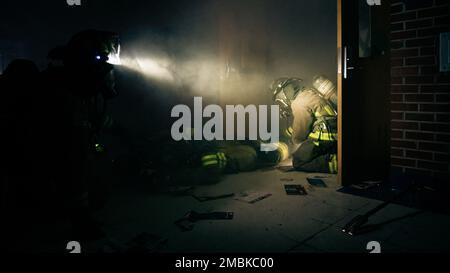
{"x":420,"y":94}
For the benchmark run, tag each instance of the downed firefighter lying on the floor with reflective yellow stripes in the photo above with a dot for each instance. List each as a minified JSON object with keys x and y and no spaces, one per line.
{"x":203,"y":162}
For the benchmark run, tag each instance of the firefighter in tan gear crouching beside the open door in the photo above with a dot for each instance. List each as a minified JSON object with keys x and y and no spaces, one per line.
{"x":314,"y":122}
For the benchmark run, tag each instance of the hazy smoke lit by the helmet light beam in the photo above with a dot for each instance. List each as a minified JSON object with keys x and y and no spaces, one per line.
{"x":230,"y":52}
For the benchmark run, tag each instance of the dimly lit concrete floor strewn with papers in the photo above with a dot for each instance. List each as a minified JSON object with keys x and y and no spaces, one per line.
{"x":281,"y":223}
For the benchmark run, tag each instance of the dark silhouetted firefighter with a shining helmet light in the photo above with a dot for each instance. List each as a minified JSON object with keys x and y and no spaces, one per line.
{"x":77,"y":85}
